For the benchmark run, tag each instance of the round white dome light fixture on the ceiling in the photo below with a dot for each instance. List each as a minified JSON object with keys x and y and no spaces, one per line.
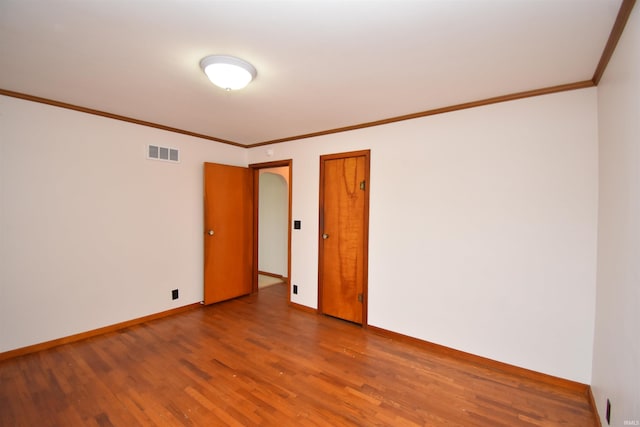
{"x":228,"y":72}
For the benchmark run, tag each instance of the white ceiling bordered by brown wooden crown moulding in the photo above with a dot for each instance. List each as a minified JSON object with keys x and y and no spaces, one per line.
{"x":321,"y":64}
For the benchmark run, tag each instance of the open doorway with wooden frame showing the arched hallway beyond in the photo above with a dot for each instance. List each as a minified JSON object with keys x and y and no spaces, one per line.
{"x":272,"y":224}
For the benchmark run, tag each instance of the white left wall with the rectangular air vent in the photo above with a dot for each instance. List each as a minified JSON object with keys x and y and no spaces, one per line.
{"x":91,"y":232}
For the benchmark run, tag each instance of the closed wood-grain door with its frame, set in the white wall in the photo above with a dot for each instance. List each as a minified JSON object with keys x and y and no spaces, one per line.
{"x":344,"y":221}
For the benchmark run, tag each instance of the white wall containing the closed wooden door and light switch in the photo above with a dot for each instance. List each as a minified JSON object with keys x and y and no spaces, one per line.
{"x":482,"y":228}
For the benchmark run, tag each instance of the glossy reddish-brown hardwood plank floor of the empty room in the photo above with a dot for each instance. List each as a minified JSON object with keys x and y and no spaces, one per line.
{"x":257,"y":361}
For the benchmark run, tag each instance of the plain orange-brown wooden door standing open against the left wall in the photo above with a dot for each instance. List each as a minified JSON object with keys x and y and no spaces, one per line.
{"x":228,"y":233}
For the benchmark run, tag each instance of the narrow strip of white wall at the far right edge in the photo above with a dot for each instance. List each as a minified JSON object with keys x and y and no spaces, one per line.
{"x":616,"y":367}
